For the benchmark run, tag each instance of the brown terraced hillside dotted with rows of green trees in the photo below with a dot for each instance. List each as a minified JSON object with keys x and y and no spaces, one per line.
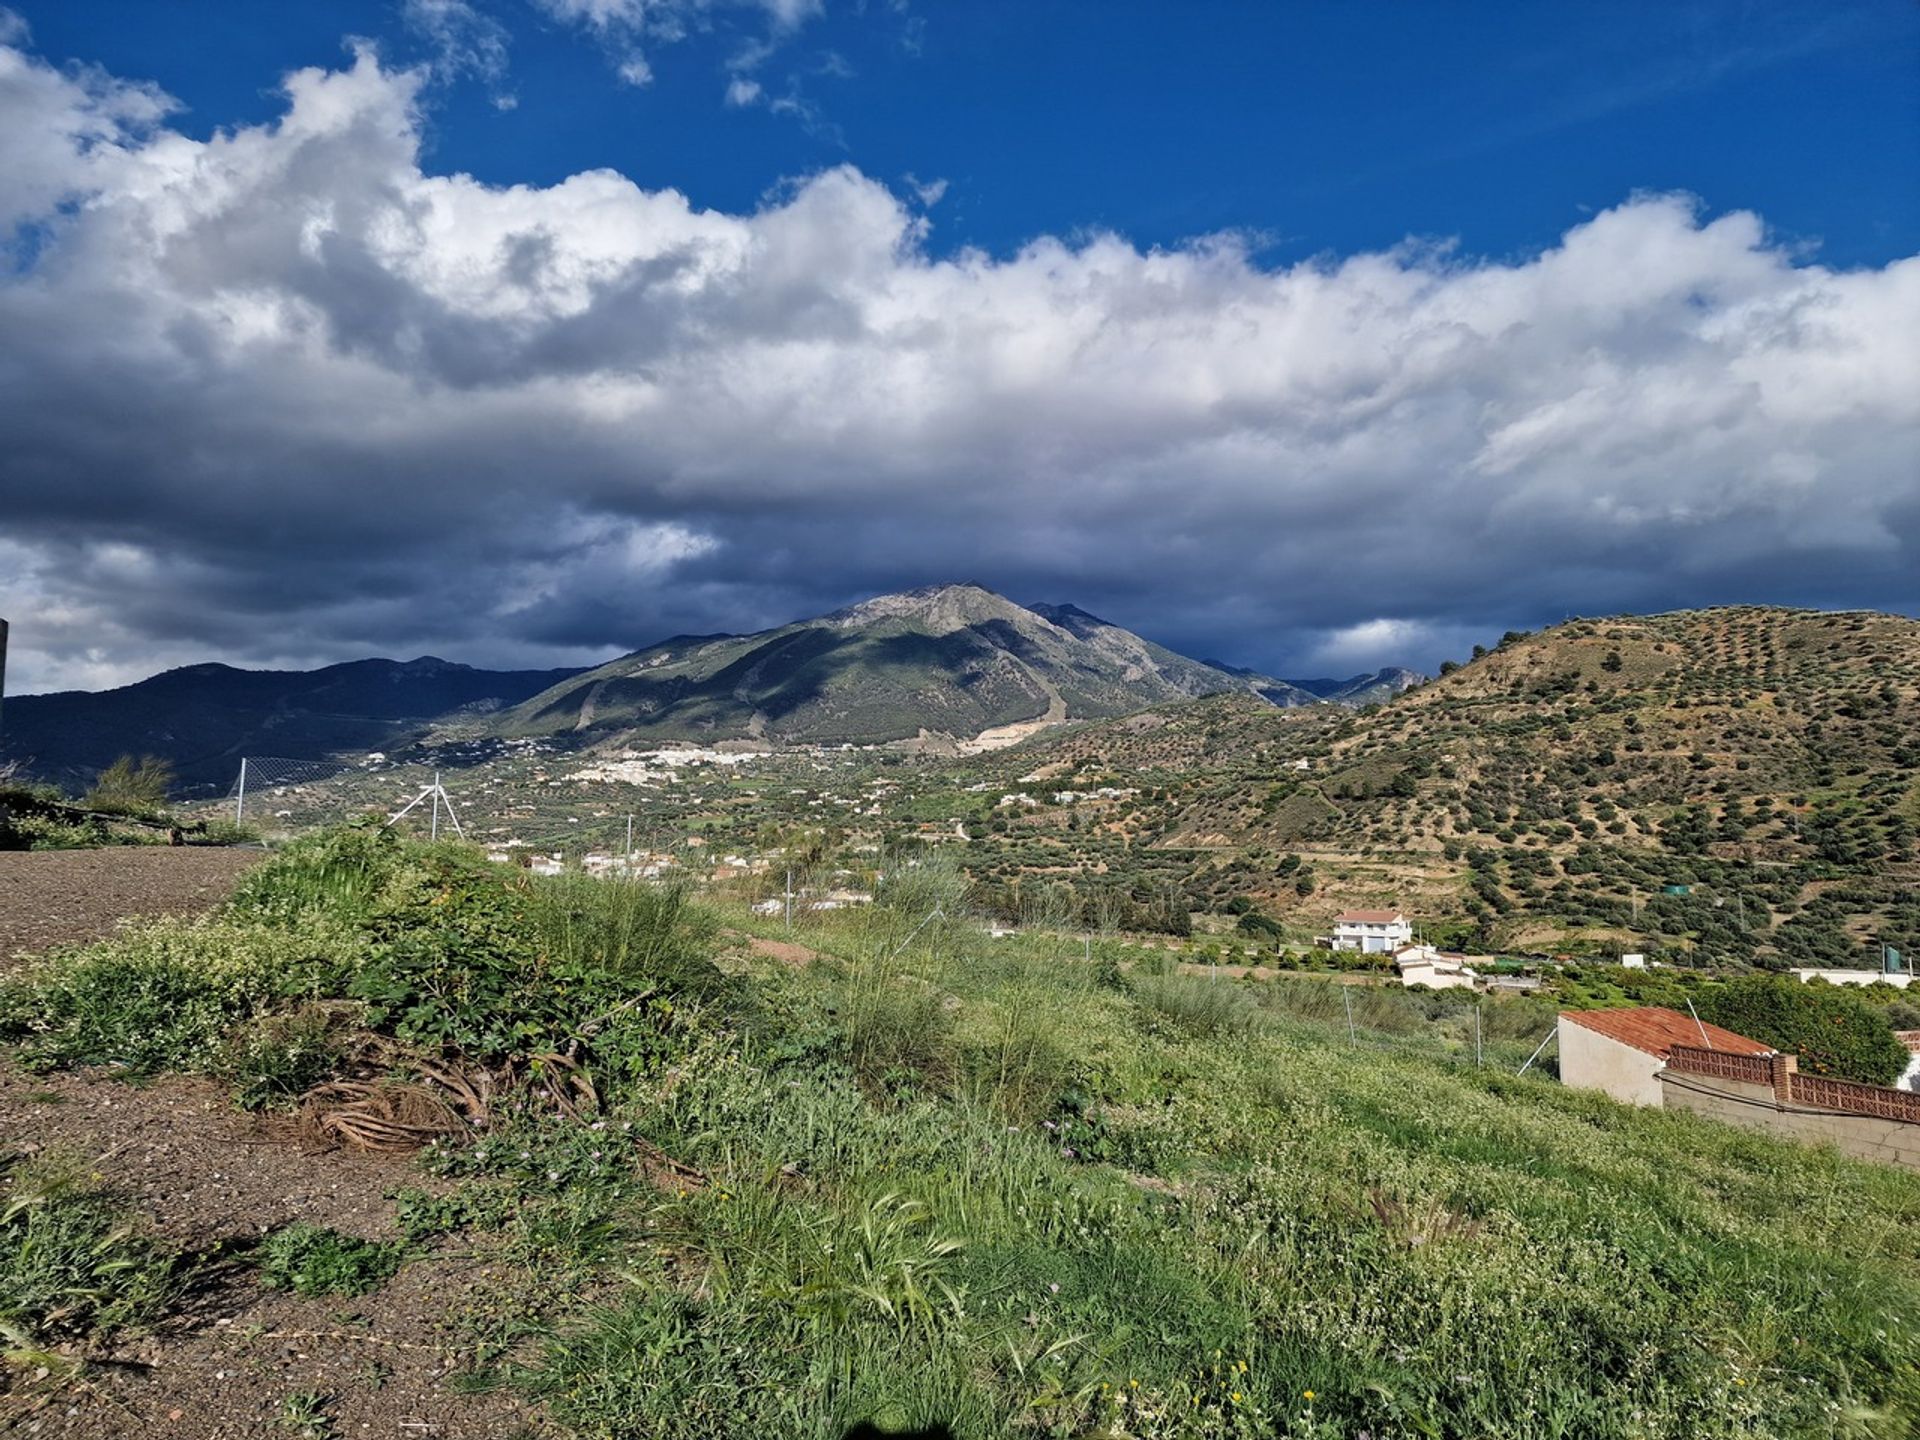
{"x":1564,"y":788}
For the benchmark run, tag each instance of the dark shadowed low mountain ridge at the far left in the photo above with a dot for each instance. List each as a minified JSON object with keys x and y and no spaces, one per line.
{"x":206,"y":717}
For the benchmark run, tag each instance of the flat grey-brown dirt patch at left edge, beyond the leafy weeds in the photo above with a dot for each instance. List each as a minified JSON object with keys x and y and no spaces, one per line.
{"x":70,"y":898}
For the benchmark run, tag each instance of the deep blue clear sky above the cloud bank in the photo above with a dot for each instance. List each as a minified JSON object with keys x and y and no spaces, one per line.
{"x":1320,"y":128}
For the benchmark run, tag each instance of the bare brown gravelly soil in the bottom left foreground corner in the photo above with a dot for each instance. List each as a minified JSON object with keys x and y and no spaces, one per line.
{"x":226,"y":1364}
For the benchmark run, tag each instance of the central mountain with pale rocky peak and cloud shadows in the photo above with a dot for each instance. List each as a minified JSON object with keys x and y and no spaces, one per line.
{"x":944,"y":661}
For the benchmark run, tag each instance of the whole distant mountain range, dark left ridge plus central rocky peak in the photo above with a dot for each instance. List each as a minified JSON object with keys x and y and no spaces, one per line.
{"x":946,"y":665}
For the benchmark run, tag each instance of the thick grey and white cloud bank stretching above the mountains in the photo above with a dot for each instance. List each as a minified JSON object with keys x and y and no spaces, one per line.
{"x":287,"y":395}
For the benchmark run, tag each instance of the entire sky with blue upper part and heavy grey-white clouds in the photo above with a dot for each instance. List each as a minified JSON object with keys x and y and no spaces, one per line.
{"x":1305,"y":337}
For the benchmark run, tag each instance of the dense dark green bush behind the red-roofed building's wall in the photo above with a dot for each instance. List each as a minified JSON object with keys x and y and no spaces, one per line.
{"x":1833,"y":1034}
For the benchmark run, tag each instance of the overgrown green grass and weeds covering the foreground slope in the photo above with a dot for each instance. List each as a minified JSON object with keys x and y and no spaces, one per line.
{"x":1017,"y":1188}
